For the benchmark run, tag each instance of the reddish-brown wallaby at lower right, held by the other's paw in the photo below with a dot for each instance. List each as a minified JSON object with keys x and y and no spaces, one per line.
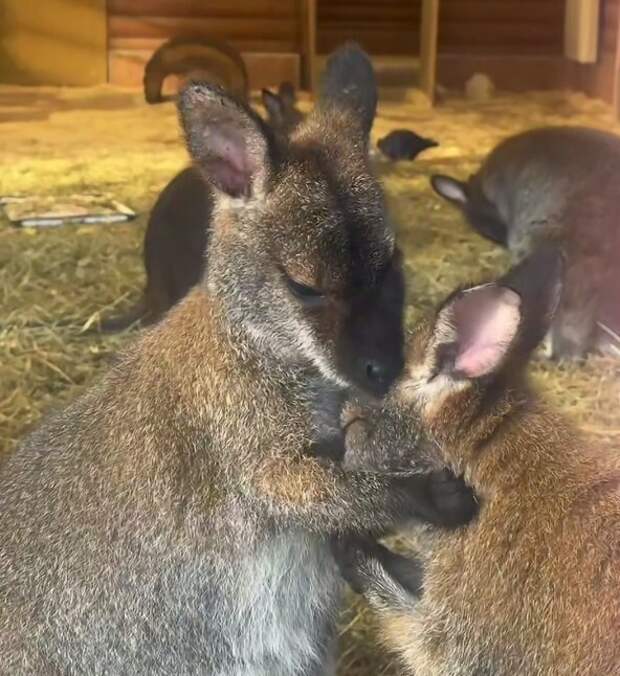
{"x":531,"y":586}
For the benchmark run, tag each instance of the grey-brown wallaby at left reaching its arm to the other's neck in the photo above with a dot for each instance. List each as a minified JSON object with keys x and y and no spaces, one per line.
{"x":174,"y":519}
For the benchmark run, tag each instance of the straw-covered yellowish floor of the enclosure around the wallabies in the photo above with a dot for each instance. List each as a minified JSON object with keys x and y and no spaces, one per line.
{"x":56,"y":282}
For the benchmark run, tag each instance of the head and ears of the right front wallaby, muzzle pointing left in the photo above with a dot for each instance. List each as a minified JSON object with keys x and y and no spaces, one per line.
{"x":463,"y":374}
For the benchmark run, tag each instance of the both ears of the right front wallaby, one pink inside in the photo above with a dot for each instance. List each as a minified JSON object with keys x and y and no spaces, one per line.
{"x":479,"y":329}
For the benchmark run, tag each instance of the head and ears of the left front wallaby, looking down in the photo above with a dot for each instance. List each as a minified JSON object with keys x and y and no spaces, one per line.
{"x":302,"y":256}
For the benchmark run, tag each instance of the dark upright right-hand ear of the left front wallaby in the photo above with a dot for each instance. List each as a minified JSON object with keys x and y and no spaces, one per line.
{"x":349,"y":82}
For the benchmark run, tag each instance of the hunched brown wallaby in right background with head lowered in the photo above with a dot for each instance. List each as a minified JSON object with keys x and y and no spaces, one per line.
{"x":556,"y":183}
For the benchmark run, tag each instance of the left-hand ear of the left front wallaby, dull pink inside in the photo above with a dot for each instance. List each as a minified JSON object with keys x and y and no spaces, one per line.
{"x":225,"y":138}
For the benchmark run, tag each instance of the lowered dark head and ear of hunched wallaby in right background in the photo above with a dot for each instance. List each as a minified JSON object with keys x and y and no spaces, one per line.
{"x":481,"y":213}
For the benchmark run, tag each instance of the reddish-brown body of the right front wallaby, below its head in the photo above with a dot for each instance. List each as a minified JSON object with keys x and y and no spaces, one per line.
{"x":531,"y":587}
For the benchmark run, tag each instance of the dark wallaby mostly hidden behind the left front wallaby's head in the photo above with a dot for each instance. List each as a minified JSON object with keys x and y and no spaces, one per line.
{"x":175,"y":241}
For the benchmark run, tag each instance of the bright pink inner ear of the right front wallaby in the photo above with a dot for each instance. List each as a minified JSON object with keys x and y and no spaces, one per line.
{"x":486,"y":320}
